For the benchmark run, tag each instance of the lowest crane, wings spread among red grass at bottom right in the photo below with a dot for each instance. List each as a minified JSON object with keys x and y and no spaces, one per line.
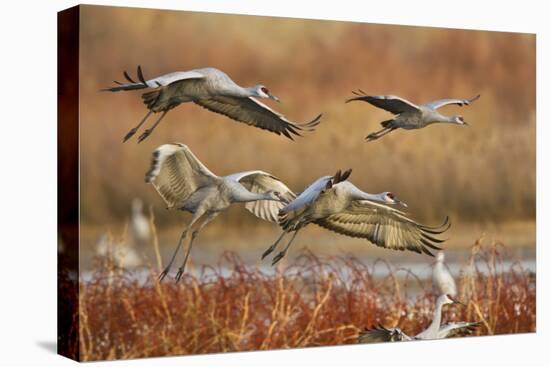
{"x":434,"y":331}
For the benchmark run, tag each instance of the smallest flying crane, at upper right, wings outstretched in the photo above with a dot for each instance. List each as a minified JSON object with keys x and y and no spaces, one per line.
{"x":408,"y":115}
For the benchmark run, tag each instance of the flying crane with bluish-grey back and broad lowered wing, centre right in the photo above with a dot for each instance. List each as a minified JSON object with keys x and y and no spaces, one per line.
{"x":336,"y":204}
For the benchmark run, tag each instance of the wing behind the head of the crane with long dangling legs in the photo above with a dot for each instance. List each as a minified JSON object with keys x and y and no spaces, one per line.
{"x":259,"y":181}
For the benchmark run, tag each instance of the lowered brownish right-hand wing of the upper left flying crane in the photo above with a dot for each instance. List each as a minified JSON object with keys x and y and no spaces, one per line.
{"x":254,"y":113}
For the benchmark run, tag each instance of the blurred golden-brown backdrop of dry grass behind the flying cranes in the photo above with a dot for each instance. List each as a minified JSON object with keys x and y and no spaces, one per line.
{"x":485,"y":173}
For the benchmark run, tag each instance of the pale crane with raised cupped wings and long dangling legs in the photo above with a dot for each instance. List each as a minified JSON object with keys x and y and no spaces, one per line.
{"x":186,"y":184}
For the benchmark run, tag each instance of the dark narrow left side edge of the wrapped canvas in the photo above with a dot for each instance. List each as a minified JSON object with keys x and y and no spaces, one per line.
{"x":67,"y":176}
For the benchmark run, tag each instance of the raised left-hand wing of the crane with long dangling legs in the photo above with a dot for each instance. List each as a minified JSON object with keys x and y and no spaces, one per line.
{"x":176,"y":173}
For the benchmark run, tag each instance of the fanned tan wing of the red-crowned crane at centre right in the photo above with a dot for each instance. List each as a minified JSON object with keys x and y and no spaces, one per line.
{"x":384,"y":227}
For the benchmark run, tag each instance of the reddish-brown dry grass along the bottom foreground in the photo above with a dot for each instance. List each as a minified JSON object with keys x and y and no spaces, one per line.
{"x":313,"y":302}
